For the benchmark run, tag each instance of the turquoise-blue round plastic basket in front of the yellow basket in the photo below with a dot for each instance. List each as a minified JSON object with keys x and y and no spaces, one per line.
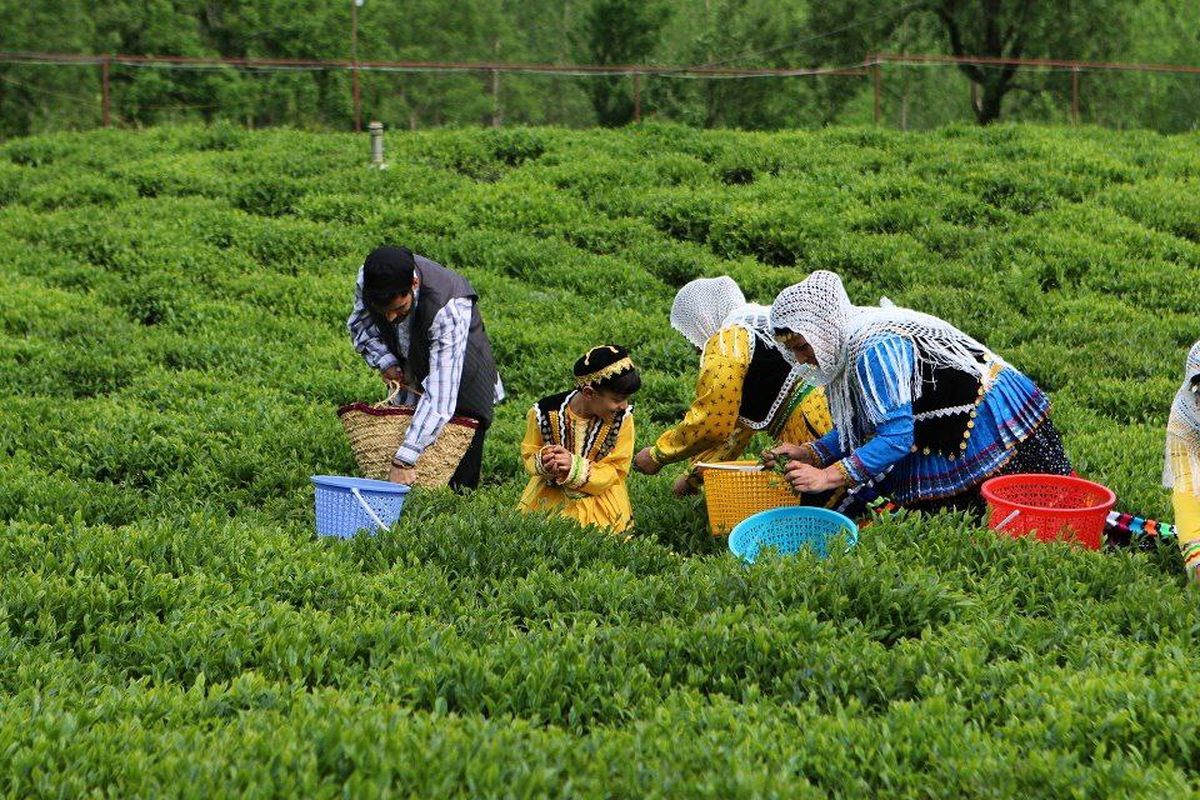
{"x":790,"y":530}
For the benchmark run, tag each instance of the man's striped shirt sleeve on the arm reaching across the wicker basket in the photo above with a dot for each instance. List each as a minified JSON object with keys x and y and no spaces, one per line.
{"x":448,"y":354}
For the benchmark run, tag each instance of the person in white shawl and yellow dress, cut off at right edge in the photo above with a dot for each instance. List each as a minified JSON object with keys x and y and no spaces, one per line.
{"x":1181,"y":472}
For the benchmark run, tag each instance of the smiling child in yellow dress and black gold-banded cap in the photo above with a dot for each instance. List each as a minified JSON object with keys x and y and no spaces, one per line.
{"x":579,"y":444}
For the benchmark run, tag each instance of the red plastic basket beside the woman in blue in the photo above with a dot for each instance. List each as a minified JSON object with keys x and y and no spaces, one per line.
{"x":1055,"y":507}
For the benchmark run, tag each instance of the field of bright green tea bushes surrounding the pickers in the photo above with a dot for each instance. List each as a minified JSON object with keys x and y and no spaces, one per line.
{"x":173,"y":347}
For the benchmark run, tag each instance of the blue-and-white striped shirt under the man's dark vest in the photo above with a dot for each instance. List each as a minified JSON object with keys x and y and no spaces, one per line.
{"x":448,"y":353}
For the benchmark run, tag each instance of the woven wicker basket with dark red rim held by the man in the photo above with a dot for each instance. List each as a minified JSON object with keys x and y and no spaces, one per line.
{"x":376,"y":431}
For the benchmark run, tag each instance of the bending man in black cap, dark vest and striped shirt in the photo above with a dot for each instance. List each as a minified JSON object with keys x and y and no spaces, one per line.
{"x":419,"y":323}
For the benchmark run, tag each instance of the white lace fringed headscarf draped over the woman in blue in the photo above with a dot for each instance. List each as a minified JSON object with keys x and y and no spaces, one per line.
{"x":839,"y":333}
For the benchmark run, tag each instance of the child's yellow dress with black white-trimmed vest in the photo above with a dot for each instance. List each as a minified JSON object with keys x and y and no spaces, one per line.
{"x":595,"y":494}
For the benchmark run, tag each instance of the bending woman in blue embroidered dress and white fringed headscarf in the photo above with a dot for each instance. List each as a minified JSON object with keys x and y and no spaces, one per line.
{"x":922,"y":412}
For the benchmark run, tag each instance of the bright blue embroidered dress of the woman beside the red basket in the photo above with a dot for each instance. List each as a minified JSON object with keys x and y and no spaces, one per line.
{"x":1009,"y":411}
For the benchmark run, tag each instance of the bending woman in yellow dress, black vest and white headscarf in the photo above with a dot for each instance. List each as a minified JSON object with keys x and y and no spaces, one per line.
{"x":746,"y":384}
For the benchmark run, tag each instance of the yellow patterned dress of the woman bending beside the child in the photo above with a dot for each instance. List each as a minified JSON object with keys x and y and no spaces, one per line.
{"x":715,"y":430}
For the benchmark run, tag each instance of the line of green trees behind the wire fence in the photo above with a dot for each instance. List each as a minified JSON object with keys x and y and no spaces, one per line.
{"x":713,"y":33}
